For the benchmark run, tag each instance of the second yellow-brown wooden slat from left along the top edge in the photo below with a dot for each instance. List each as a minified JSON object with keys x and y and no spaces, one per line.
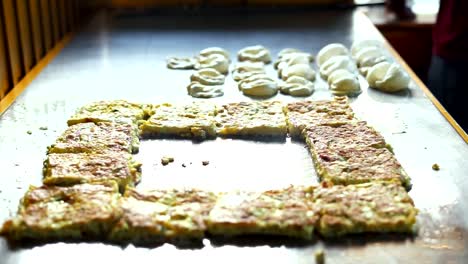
{"x":25,"y":34}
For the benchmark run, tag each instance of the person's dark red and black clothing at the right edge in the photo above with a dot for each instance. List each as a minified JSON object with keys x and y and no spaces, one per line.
{"x":448,"y":74}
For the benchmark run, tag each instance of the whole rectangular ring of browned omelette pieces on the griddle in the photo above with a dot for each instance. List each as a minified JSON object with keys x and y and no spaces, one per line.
{"x":90,"y":166}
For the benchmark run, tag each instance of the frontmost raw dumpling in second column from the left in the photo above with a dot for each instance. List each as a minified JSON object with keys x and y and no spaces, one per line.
{"x":259,"y":85}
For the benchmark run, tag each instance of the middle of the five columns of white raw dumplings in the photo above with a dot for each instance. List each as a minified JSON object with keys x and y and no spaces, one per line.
{"x":294,"y":69}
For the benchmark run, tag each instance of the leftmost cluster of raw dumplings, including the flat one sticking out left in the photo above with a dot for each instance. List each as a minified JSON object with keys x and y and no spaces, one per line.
{"x":211,"y":64}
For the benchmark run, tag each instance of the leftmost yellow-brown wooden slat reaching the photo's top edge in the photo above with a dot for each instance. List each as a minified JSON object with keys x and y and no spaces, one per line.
{"x":11,"y":30}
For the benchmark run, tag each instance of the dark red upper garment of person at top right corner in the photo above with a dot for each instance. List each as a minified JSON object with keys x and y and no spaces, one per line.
{"x":450,"y":35}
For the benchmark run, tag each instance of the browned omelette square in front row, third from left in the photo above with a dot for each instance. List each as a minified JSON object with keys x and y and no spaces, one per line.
{"x":288,"y":212}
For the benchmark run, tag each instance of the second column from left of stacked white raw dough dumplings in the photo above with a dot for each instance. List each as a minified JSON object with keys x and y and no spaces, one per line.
{"x":250,"y":72}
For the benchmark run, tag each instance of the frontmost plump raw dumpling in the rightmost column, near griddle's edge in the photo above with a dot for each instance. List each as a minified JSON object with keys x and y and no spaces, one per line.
{"x":387,"y":77}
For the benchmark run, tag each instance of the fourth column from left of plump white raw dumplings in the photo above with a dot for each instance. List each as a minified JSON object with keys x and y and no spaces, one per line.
{"x":338,"y":69}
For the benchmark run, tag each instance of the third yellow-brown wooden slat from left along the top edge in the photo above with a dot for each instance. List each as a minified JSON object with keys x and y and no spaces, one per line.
{"x":36,"y":29}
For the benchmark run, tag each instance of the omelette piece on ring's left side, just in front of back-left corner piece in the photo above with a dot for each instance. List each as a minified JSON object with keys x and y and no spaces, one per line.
{"x":97,"y":138}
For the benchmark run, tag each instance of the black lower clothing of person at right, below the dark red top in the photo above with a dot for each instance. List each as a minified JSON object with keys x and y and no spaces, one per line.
{"x":448,"y":81}
